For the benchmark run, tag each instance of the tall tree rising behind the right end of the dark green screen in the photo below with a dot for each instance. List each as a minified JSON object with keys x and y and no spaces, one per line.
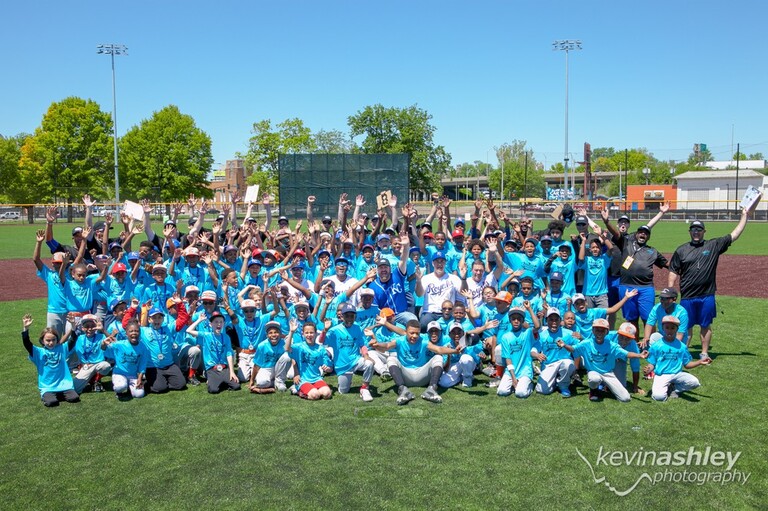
{"x":403,"y":130}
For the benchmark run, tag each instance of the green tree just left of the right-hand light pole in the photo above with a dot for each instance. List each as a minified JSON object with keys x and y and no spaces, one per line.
{"x":517,"y":182}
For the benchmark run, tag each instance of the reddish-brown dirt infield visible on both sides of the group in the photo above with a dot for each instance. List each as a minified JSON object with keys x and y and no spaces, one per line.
{"x":736,"y":276}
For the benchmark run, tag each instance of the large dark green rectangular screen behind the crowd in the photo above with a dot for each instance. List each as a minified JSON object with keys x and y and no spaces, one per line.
{"x":326,"y":176}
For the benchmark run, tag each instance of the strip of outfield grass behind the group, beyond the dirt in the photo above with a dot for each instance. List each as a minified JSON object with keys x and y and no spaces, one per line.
{"x":18,"y":240}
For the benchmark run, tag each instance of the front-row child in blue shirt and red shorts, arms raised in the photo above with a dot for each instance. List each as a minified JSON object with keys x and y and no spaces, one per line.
{"x":311,"y":361}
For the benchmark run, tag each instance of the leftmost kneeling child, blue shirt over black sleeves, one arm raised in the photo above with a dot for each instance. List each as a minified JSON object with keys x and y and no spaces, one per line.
{"x":53,"y":377}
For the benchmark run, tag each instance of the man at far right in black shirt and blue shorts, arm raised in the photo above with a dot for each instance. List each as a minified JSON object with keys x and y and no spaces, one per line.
{"x":695,"y":264}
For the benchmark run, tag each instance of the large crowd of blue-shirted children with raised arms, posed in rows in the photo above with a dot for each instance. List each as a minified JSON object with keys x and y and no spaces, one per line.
{"x":259,"y":307}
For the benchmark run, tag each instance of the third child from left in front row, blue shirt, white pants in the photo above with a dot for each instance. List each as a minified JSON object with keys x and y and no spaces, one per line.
{"x":130,"y":357}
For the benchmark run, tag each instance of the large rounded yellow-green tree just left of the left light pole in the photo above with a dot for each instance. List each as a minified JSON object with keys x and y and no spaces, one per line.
{"x":69,"y":154}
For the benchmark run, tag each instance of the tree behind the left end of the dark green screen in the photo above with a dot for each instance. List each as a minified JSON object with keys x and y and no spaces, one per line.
{"x":268,"y":143}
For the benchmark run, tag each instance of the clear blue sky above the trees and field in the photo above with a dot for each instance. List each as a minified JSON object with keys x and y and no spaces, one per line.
{"x":656,"y":74}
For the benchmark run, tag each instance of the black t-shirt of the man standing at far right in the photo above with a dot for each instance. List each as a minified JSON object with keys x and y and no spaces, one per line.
{"x":696,"y":264}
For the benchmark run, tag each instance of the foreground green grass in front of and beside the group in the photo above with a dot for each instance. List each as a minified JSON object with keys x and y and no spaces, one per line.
{"x":475,"y":450}
